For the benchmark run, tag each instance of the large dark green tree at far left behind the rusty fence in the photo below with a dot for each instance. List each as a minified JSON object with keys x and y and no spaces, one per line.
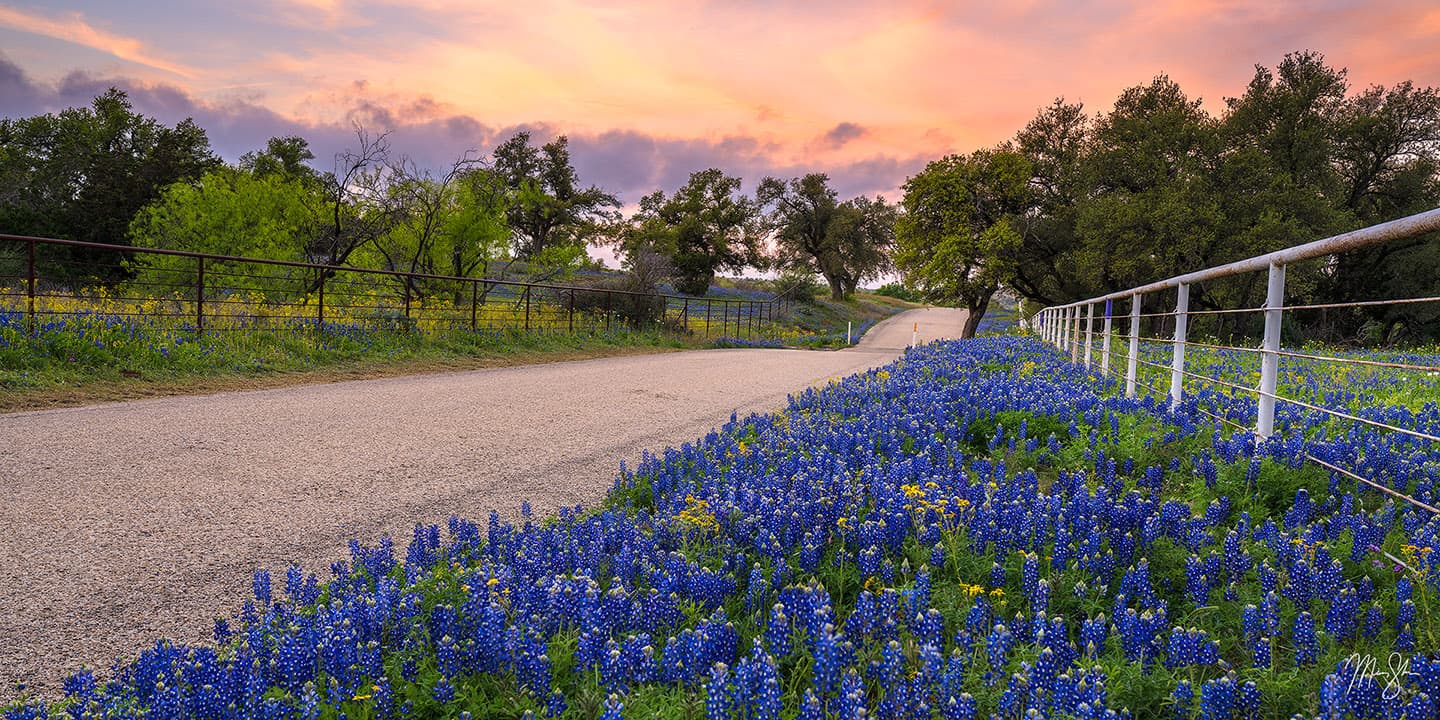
{"x":83,"y":175}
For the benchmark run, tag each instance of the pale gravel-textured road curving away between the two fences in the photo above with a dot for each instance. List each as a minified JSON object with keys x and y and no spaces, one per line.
{"x":133,"y":522}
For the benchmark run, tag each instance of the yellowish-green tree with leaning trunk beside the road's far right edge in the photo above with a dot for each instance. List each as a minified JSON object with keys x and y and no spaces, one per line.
{"x":957,"y":237}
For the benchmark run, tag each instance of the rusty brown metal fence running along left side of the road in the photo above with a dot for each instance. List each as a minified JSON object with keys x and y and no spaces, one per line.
{"x":207,"y":293}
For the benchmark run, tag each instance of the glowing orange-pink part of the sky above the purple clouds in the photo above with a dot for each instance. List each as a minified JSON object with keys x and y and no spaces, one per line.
{"x":921,"y":77}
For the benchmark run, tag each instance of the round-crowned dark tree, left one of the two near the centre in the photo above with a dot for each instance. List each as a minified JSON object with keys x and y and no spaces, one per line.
{"x":705,"y":228}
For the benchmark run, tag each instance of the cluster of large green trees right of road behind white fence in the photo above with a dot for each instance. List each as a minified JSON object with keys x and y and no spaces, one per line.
{"x":1082,"y":205}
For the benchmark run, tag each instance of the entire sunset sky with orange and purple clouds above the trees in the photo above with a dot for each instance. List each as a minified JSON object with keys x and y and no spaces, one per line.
{"x":866,"y":91}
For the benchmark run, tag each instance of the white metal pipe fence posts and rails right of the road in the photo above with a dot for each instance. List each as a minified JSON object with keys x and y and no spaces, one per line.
{"x":1074,"y":330}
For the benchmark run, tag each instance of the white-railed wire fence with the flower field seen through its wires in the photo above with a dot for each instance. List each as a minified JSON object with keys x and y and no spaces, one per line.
{"x":1274,"y":394}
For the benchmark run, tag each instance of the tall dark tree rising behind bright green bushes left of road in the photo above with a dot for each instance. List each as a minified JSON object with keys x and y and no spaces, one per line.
{"x":549,"y":214}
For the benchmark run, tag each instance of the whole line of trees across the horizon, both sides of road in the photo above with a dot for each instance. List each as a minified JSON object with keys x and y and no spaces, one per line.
{"x":1075,"y":207}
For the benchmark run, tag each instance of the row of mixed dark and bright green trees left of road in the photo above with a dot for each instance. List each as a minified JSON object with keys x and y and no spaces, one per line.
{"x":110,"y":175}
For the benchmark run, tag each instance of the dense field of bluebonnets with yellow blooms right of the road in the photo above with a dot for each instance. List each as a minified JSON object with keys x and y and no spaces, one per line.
{"x":978,"y":531}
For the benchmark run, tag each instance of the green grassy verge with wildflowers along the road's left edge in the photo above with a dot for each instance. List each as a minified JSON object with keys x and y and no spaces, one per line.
{"x":106,"y":351}
